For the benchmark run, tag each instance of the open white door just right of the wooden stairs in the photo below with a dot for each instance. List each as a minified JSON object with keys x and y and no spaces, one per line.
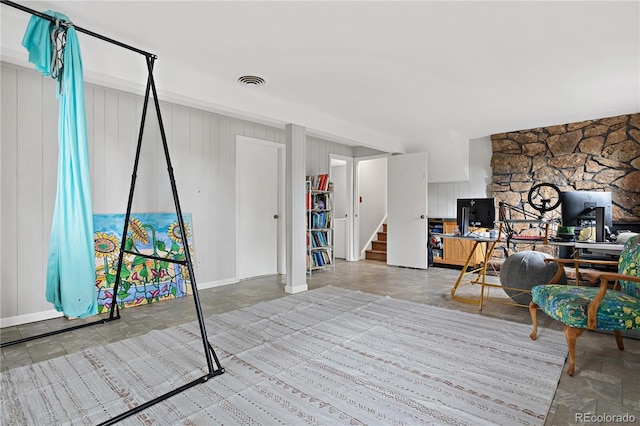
{"x":407,"y":228}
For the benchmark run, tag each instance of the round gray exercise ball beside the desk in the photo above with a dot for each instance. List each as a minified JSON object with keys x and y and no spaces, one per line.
{"x":524,"y":270}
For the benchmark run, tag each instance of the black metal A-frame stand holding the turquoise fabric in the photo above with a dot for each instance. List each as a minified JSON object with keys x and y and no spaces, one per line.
{"x":213,"y":364}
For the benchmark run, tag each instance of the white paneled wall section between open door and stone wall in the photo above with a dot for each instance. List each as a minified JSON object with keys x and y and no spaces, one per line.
{"x":443,"y":196}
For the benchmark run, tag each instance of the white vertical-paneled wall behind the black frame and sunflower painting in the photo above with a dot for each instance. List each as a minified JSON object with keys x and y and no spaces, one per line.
{"x":202,"y":149}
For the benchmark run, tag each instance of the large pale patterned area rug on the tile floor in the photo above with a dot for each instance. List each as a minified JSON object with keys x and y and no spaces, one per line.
{"x":322,"y":357}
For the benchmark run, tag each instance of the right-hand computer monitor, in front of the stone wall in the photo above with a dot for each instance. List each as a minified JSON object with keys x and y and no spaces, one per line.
{"x":587,"y":208}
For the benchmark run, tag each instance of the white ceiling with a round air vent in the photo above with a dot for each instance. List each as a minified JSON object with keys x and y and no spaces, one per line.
{"x":397,"y":76}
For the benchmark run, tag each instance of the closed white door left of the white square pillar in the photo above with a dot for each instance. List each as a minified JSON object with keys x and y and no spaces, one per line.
{"x":257,"y":202}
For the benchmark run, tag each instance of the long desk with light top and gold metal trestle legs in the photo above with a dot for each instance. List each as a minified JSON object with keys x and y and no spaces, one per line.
{"x":489,"y":245}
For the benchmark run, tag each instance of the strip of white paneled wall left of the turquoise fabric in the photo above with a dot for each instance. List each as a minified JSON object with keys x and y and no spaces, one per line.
{"x":29,"y":140}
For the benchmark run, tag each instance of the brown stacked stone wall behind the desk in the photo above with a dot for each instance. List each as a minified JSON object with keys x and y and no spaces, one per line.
{"x":594,"y":155}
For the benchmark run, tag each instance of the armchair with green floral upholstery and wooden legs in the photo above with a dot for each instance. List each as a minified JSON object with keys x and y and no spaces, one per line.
{"x":614,"y":305}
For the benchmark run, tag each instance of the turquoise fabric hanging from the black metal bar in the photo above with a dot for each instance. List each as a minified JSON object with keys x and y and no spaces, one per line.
{"x":71,"y":263}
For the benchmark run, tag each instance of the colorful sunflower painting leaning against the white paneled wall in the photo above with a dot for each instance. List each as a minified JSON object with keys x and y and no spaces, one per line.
{"x":142,"y":280}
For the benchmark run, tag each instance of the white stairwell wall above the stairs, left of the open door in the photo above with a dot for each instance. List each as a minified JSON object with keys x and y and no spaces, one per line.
{"x":372,"y":188}
